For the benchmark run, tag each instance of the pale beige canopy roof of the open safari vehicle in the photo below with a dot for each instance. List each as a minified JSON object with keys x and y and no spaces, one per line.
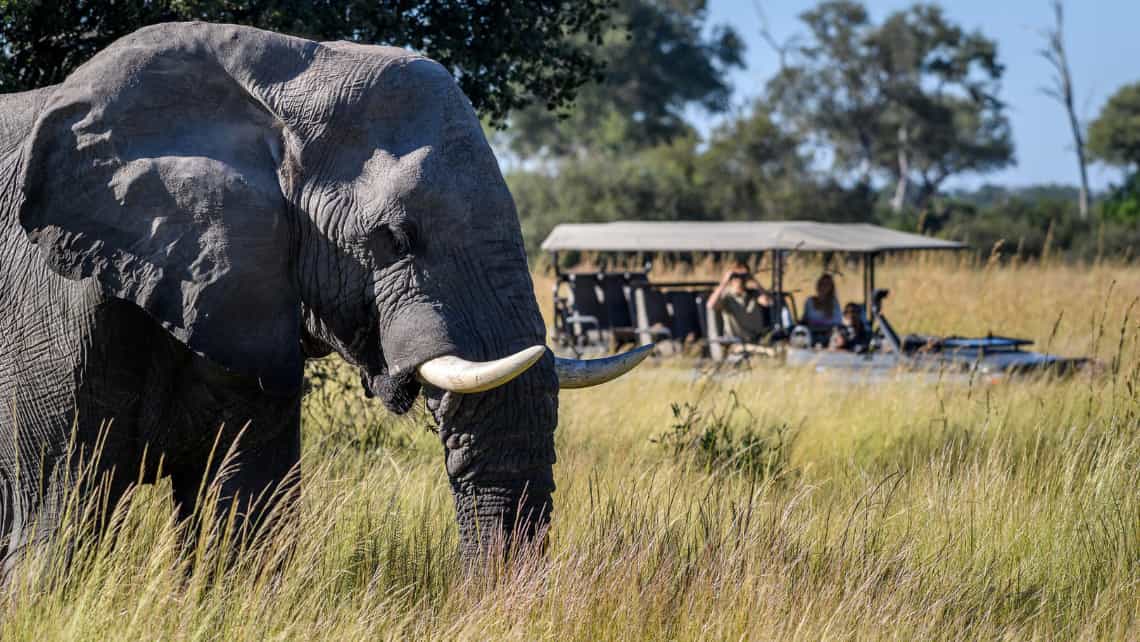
{"x":745,"y":237}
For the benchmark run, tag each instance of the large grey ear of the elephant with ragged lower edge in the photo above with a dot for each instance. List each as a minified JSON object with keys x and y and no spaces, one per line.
{"x":157,"y":172}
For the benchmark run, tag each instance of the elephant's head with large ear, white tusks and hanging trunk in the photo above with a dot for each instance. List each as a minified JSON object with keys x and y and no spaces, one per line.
{"x":267,"y":199}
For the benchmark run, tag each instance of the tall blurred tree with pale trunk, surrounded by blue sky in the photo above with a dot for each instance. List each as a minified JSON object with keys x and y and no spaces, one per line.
{"x":914,"y":99}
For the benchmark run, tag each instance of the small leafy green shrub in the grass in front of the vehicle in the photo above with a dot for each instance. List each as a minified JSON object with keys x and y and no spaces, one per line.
{"x":728,"y":440}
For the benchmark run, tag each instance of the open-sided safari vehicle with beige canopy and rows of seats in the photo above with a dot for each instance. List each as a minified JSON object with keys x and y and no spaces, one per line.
{"x":601,"y":312}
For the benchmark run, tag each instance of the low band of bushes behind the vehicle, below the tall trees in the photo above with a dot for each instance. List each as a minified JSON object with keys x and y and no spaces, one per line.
{"x":677,"y":183}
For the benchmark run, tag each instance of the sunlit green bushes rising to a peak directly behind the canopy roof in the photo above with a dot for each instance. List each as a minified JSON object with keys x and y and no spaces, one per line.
{"x":750,"y":170}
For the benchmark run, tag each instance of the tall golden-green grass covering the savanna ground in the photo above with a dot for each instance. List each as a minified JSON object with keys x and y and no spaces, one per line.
{"x":777,"y":505}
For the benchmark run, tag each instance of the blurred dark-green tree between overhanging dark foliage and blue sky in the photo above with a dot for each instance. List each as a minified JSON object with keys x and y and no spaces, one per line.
{"x":659,"y":62}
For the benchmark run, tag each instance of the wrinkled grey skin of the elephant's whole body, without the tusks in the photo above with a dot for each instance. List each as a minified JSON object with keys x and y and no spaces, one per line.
{"x":198,"y":210}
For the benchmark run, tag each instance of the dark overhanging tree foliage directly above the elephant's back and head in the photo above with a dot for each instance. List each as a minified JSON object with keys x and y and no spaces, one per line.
{"x":506,"y":54}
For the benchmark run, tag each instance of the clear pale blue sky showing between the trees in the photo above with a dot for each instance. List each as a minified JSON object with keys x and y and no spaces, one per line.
{"x":1102,"y":37}
